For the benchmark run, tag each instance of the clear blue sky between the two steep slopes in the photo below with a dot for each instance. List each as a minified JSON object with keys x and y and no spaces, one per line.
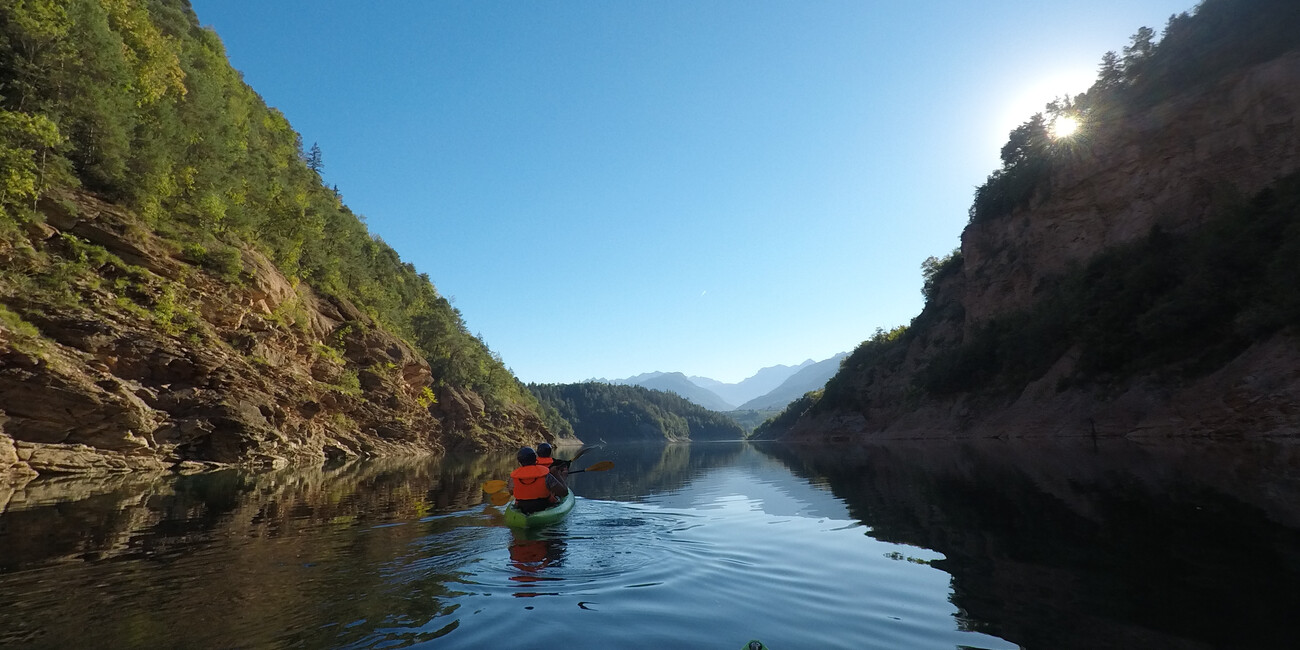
{"x":614,"y":188}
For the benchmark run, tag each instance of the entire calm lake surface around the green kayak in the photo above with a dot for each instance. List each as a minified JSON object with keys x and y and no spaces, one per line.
{"x":990,"y":545}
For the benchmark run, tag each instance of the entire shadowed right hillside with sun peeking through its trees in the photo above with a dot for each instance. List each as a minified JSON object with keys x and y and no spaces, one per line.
{"x":1138,"y":275}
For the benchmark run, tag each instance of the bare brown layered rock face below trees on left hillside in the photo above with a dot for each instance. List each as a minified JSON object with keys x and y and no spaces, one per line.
{"x":158,"y":363}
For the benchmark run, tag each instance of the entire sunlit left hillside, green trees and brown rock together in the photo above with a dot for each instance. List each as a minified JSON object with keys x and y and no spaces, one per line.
{"x":148,"y":193}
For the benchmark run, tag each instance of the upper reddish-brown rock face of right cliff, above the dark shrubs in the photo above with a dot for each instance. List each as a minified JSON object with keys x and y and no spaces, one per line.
{"x":1168,"y":166}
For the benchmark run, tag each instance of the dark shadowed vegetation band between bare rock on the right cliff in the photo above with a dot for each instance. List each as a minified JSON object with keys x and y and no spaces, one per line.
{"x":1184,"y":305}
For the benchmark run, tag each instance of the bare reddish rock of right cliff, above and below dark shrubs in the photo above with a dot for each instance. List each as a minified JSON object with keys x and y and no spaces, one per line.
{"x":1171,"y":167}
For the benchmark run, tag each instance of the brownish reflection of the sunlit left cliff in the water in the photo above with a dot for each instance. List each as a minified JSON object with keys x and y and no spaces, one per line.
{"x":132,"y":561}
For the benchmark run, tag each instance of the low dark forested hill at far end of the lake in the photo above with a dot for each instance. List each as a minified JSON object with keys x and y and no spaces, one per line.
{"x":605,"y":413}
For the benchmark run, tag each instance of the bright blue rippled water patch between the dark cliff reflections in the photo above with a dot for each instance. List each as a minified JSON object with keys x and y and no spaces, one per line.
{"x":729,"y":570}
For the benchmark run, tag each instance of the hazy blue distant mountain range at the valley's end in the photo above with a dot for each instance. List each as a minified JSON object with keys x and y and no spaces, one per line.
{"x":769,"y":389}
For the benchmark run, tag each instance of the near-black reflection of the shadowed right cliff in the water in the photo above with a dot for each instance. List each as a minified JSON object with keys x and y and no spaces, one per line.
{"x":1084,"y":547}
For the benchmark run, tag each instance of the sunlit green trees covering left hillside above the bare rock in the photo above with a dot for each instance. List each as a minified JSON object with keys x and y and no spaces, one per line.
{"x":137,"y":102}
